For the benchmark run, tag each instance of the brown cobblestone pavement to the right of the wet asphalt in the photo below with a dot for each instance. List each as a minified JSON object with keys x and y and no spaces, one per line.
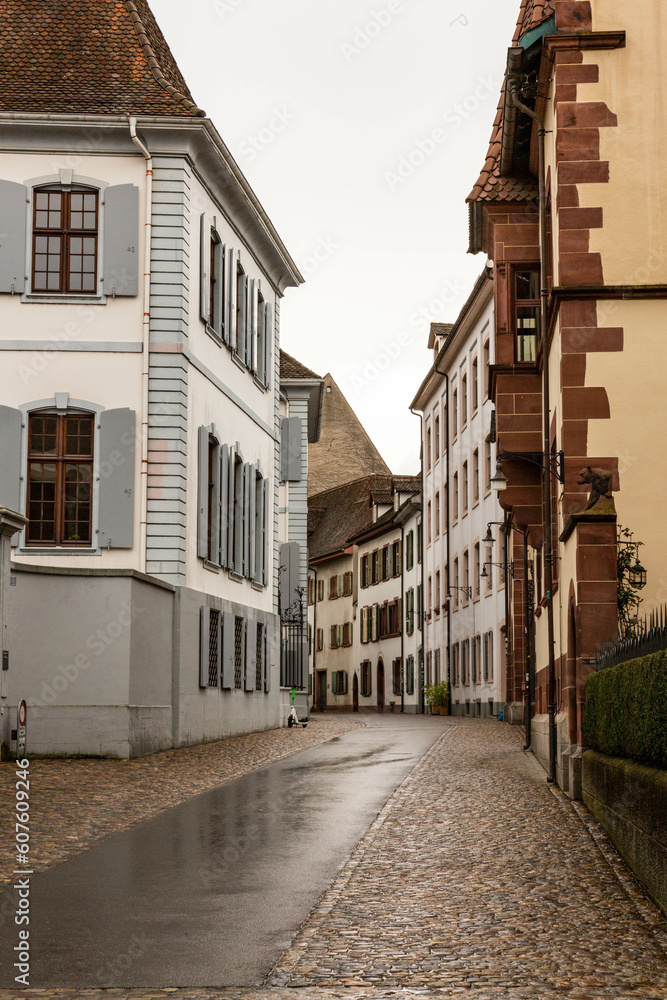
{"x":476,"y":880}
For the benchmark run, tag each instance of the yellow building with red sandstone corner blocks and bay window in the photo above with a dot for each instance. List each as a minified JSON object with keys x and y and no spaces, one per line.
{"x":578,"y":383}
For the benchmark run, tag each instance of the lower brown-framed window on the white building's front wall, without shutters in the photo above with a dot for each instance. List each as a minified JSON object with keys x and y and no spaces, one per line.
{"x":60,"y":476}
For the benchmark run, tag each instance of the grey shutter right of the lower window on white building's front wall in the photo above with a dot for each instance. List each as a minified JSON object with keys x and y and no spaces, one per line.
{"x":117,"y":487}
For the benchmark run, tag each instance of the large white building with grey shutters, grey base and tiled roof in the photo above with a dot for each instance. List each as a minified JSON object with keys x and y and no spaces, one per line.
{"x":140,"y":288}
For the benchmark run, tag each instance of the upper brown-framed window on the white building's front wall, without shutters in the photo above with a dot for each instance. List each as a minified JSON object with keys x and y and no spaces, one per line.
{"x":64,"y":242}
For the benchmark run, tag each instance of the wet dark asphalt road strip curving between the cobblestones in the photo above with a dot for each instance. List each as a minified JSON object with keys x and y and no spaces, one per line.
{"x":212,"y":891}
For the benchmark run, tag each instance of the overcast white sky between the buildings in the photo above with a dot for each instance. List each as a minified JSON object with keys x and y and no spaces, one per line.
{"x":362,"y":126}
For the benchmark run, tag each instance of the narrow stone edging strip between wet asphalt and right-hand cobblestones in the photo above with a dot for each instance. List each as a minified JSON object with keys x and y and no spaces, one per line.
{"x":279,"y":976}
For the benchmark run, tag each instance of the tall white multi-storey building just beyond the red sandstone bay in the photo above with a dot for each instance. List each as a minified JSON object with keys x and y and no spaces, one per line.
{"x":465,"y":574}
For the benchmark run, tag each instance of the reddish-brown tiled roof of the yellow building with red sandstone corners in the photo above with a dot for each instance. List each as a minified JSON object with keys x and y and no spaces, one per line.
{"x":490,"y":185}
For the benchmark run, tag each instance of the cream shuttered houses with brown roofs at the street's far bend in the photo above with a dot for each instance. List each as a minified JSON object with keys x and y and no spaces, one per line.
{"x":364,"y":594}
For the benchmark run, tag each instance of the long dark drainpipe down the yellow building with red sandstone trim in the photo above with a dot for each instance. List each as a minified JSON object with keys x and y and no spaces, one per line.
{"x":546,"y":413}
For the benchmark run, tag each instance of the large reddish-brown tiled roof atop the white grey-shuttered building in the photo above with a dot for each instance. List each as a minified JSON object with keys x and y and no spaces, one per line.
{"x":88,"y":57}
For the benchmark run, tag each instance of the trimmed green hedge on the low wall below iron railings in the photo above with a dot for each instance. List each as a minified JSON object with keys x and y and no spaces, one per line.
{"x":625,"y":712}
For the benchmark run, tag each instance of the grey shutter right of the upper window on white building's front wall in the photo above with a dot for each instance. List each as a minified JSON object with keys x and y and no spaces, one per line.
{"x":121,"y":240}
